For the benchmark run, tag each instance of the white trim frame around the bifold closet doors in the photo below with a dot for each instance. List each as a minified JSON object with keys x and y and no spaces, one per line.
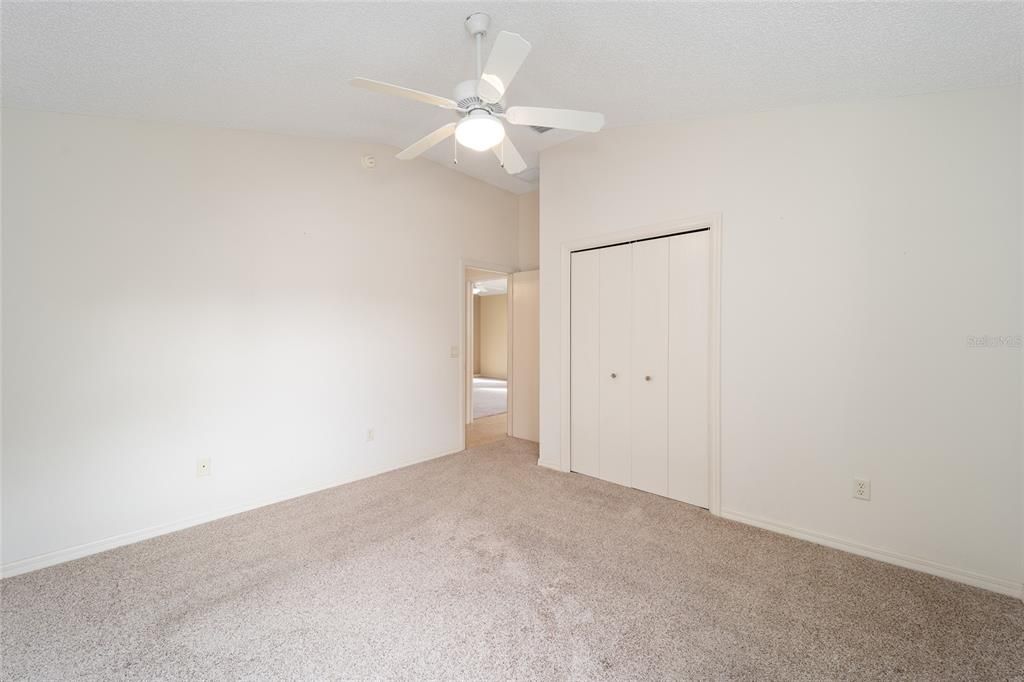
{"x":713,"y":224}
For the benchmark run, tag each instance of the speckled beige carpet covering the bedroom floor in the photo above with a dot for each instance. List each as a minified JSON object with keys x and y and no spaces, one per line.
{"x":482,"y":566}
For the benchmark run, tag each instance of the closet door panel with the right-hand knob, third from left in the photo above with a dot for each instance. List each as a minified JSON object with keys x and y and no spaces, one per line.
{"x":651,"y":358}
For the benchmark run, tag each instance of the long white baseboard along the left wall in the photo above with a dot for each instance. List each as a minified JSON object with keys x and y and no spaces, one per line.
{"x":79,"y":551}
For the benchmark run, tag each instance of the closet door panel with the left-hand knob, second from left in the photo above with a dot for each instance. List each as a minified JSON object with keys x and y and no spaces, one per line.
{"x":614,"y":293}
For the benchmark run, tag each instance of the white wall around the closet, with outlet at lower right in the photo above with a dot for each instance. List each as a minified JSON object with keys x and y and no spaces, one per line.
{"x":863,"y":244}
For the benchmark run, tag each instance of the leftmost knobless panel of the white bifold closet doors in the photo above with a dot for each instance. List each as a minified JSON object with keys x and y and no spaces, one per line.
{"x":584,"y":368}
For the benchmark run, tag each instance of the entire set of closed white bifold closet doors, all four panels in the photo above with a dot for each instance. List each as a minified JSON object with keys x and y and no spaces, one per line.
{"x":639,"y":373}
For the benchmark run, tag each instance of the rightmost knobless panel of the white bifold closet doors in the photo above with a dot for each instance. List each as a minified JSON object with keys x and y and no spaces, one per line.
{"x":689,"y":367}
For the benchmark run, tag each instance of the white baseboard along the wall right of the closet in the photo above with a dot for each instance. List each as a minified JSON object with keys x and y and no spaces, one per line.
{"x":1000,"y":585}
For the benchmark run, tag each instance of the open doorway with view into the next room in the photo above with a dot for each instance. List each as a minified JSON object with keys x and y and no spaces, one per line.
{"x":488,"y":360}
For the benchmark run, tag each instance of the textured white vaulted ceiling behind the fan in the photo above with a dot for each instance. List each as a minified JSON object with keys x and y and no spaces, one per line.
{"x":285,"y":67}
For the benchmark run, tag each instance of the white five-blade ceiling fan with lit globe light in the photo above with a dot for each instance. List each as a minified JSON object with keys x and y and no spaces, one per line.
{"x":481,"y":107}
